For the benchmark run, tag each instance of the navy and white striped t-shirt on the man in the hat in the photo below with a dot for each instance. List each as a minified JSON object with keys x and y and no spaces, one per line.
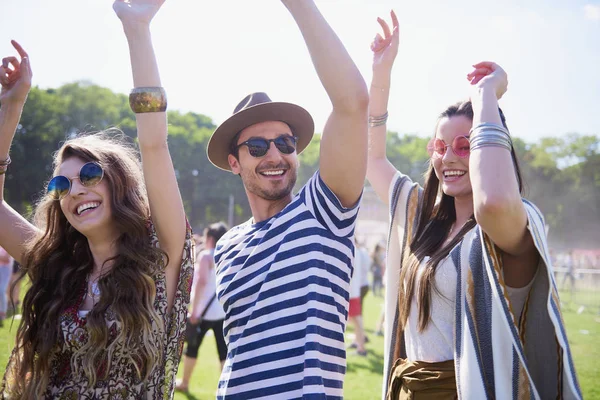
{"x":284,"y":284}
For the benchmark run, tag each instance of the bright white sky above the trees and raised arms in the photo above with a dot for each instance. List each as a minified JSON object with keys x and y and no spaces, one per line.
{"x":212,"y":53}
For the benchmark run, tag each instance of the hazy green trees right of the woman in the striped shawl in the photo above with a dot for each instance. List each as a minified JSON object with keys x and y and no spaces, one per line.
{"x":563,"y":180}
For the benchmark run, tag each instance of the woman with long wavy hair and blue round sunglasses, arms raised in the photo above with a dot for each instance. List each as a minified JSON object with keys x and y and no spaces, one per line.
{"x":105,"y":314}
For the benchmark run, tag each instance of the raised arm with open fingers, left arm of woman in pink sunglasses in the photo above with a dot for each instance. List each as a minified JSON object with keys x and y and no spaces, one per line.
{"x":380,"y":170}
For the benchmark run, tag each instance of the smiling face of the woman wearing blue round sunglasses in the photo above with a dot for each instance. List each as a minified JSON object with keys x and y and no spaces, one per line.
{"x":88,"y":209}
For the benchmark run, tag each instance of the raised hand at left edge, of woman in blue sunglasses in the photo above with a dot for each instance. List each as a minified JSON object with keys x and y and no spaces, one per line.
{"x":15,"y":76}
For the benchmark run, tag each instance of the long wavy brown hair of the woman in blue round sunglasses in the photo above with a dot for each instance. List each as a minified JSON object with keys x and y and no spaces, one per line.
{"x":58,"y":260}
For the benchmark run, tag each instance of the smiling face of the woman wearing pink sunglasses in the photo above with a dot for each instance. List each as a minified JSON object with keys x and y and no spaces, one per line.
{"x":452,"y":170}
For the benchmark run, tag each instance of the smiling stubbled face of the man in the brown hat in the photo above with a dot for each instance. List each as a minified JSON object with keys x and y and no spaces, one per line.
{"x":273,"y":176}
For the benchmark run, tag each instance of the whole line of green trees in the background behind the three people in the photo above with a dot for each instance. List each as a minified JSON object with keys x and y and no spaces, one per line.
{"x":562,"y":174}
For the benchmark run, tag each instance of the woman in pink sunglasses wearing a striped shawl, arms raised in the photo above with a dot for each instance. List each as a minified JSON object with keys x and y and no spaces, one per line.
{"x":472,"y":310}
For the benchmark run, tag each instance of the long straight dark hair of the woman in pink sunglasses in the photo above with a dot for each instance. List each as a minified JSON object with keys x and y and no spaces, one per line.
{"x":432,"y":229}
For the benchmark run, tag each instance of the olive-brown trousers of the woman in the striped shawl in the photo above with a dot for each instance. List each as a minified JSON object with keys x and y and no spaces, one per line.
{"x":421,"y":380}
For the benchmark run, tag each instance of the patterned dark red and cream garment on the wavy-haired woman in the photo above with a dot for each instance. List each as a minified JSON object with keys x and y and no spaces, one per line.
{"x":122,"y":381}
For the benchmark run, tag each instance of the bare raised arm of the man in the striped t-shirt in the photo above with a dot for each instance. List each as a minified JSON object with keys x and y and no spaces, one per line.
{"x":343,"y":160}
